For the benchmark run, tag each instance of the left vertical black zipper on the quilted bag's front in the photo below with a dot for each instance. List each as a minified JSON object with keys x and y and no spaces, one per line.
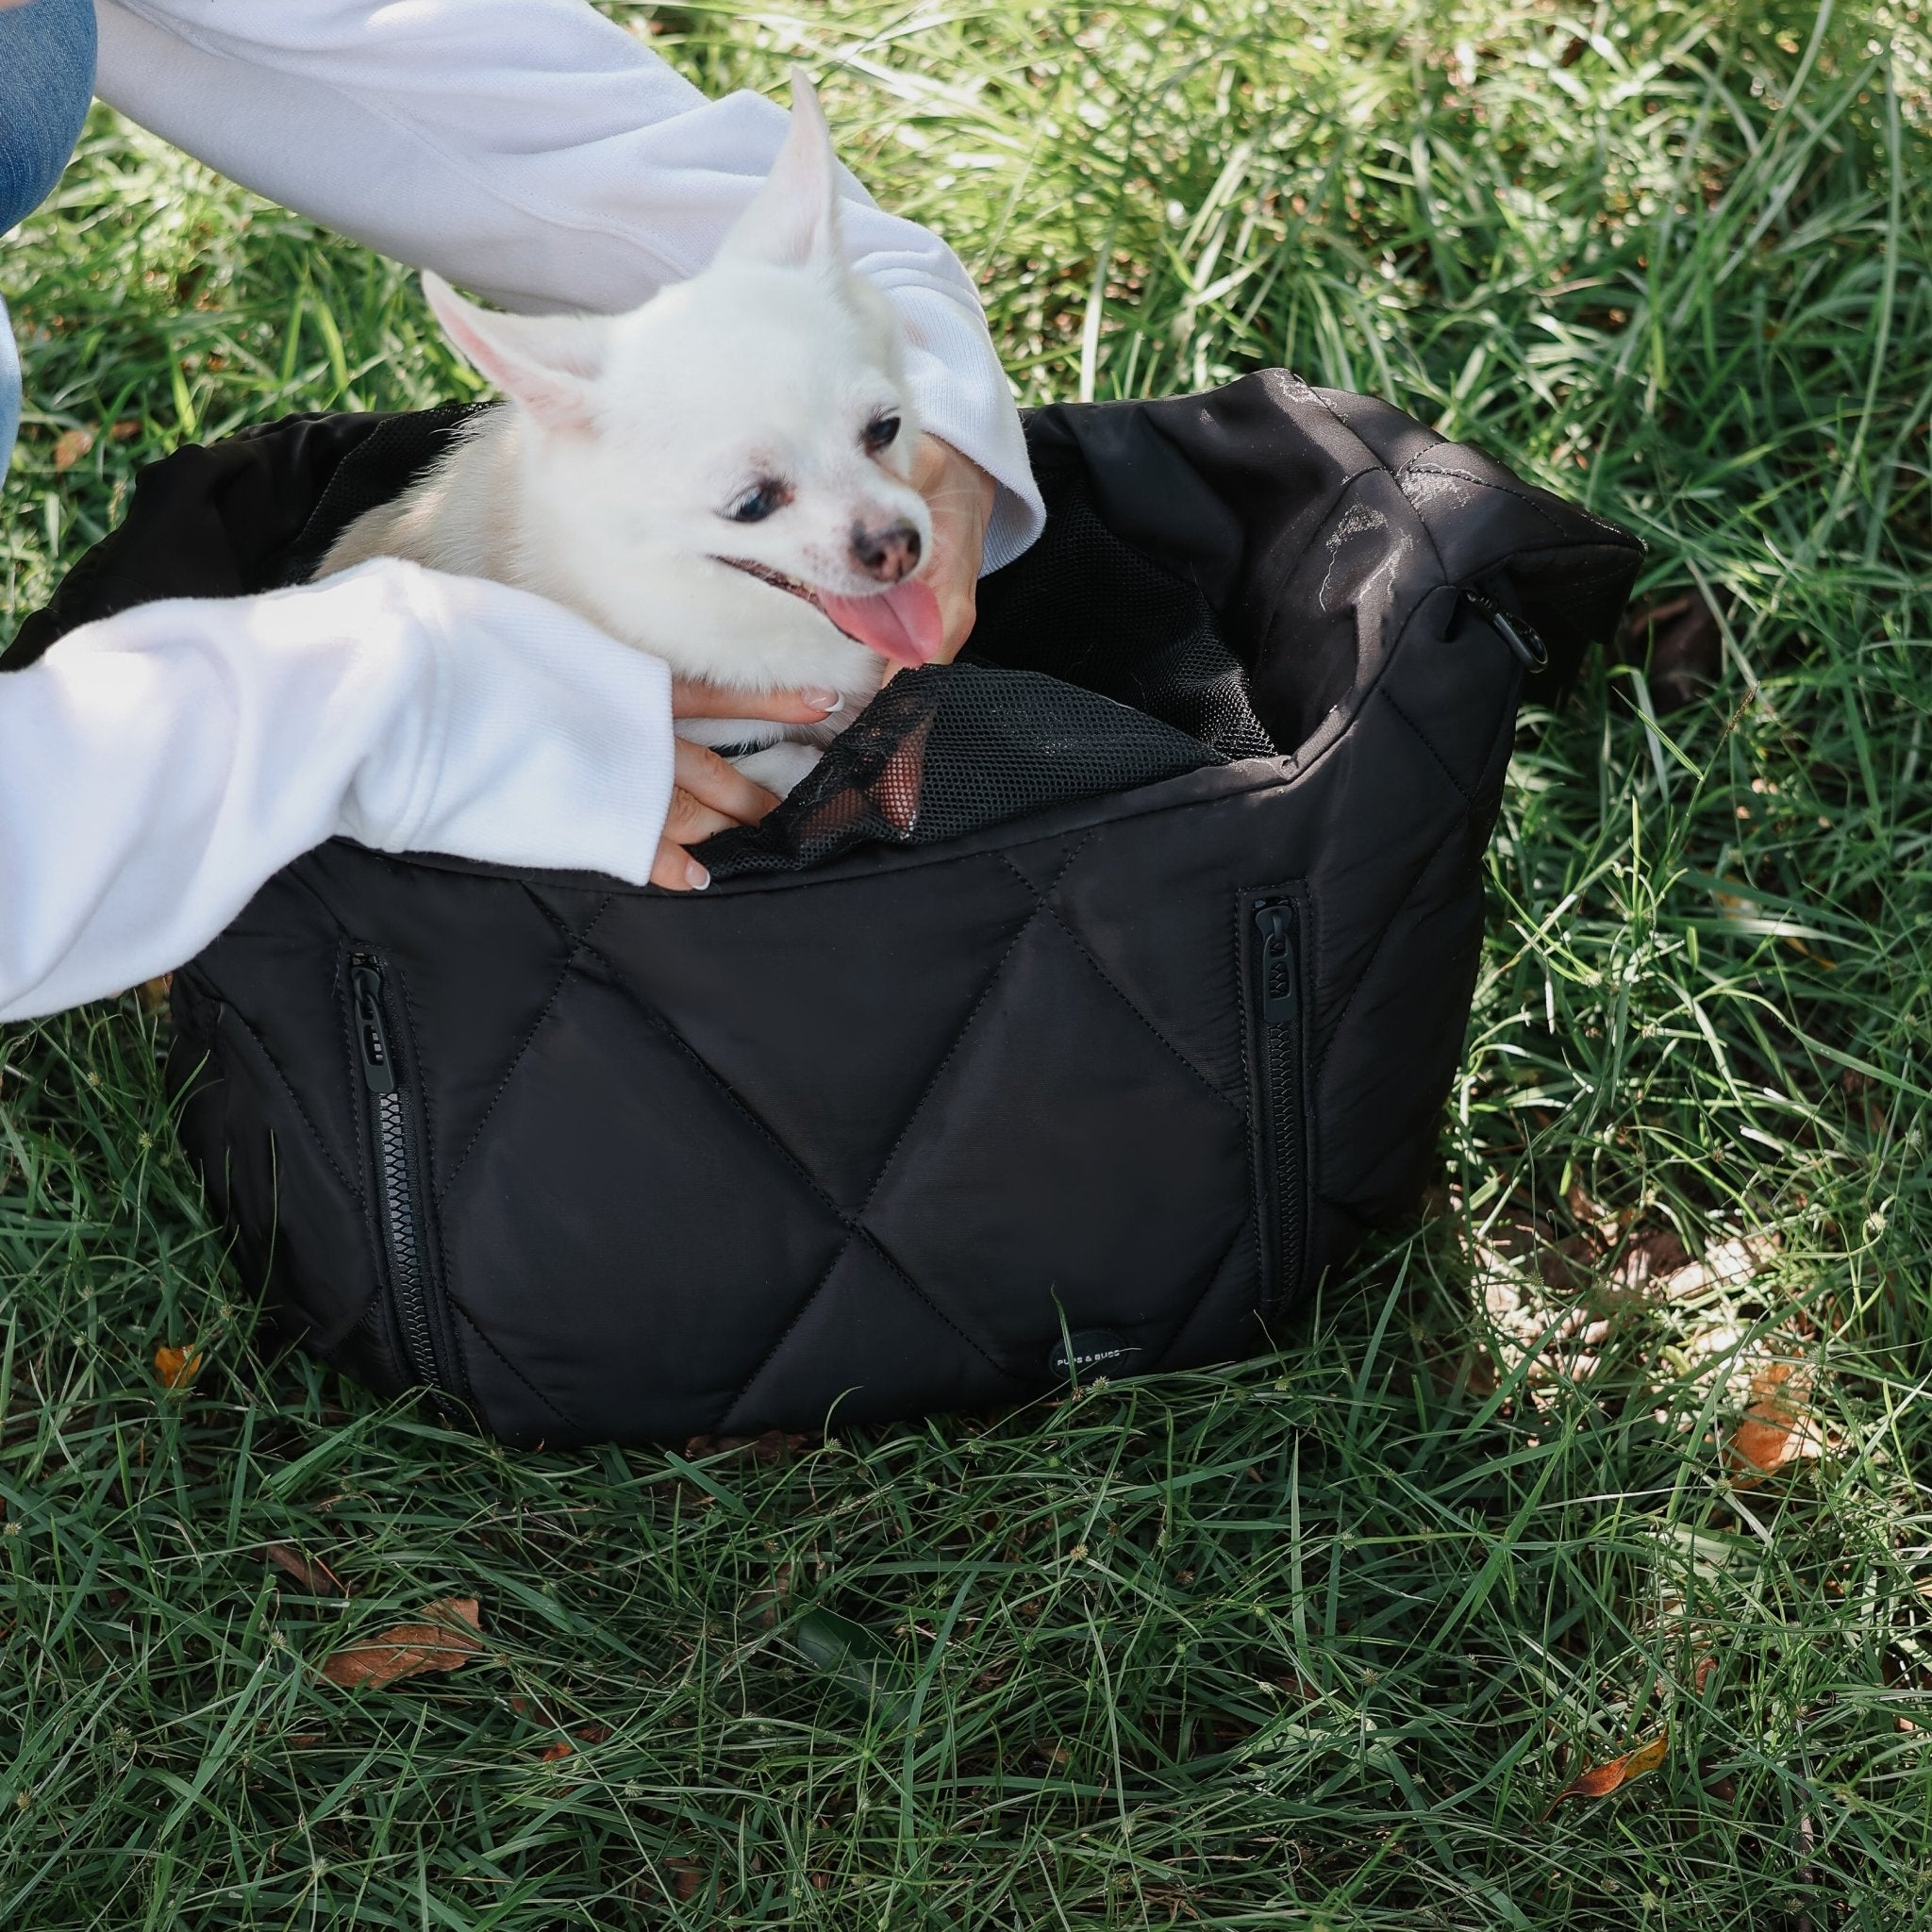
{"x":399,"y":1174}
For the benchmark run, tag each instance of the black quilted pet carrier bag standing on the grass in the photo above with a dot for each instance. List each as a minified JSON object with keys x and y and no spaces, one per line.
{"x":1085,"y":1006}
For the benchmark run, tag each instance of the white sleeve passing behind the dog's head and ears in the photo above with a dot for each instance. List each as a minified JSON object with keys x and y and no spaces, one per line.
{"x":538,"y":154}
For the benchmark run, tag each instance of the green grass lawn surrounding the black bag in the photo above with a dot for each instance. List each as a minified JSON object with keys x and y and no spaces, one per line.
{"x":1317,"y":1641}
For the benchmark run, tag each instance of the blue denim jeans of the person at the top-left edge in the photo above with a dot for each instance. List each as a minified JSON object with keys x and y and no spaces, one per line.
{"x":47,"y":78}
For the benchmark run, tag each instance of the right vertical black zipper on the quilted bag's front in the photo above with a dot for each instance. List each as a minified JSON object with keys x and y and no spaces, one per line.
{"x":1276,"y":1058}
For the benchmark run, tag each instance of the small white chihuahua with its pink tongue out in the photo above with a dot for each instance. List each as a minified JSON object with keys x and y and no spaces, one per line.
{"x":718,"y":478}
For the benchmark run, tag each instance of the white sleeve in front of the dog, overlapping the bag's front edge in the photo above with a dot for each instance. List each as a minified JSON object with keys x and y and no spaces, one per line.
{"x":159,"y":766}
